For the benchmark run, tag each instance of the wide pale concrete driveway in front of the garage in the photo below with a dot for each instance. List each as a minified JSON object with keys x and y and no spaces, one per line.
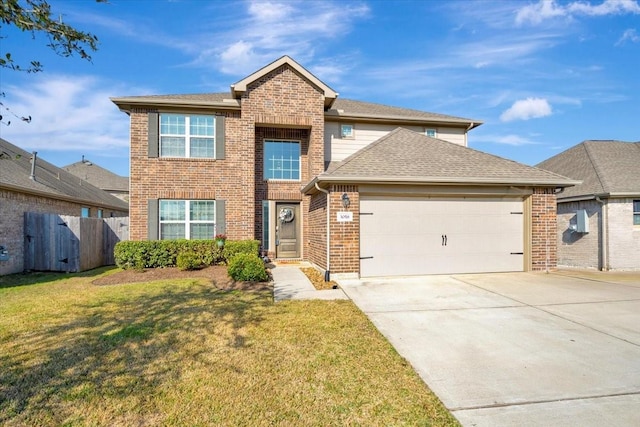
{"x":517,"y":349}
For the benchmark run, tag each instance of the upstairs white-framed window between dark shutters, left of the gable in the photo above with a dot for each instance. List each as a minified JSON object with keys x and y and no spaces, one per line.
{"x":187,"y":136}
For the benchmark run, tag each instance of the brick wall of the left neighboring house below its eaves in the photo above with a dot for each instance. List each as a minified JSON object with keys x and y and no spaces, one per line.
{"x":13,"y":205}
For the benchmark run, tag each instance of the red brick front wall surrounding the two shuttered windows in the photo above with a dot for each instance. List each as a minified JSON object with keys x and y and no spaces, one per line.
{"x":160,"y":178}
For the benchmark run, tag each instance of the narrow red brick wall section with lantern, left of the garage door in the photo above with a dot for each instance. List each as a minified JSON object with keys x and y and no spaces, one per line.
{"x":345,"y":236}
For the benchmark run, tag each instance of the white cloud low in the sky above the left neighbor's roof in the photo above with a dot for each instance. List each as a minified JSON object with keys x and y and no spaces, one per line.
{"x":68,"y":113}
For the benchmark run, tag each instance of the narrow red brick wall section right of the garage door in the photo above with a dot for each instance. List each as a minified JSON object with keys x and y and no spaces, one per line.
{"x":544,"y":254}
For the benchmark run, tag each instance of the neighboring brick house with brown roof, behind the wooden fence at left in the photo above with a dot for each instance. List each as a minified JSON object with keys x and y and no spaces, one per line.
{"x":29,"y":184}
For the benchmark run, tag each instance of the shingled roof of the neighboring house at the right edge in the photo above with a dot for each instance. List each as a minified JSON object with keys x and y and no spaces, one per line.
{"x":606,"y":168}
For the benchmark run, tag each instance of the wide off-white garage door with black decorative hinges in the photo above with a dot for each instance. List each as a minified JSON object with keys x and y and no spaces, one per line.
{"x":409,"y":236}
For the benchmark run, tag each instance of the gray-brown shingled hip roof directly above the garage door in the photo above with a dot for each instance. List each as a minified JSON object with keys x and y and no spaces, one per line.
{"x":403,"y":156}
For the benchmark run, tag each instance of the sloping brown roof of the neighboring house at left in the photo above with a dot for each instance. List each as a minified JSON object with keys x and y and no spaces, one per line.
{"x":49,"y":180}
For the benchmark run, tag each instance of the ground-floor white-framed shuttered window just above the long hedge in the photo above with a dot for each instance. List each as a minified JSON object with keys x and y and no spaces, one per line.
{"x":187,"y":219}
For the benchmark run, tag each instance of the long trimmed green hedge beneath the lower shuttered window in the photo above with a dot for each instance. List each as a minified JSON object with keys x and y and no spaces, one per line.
{"x":163,"y":253}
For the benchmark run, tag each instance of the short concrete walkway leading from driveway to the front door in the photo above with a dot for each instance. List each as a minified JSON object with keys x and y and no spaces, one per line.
{"x":290,"y":283}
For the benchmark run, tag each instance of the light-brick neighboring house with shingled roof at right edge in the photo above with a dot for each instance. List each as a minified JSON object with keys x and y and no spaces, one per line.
{"x":599,"y":220}
